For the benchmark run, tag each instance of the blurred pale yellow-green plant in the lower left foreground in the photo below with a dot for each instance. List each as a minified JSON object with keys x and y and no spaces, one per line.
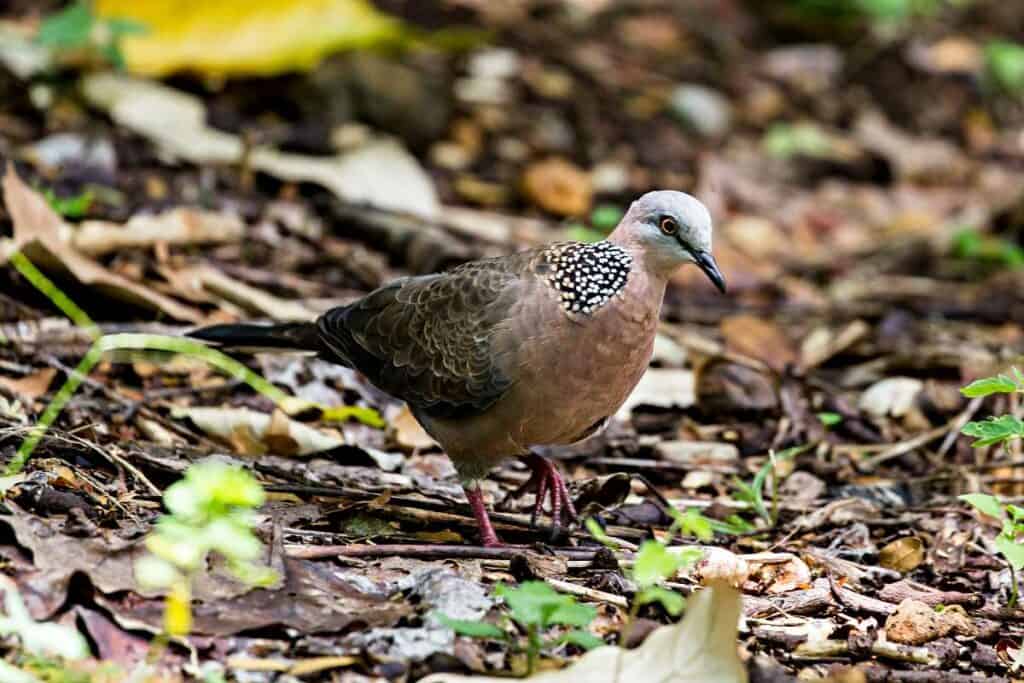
{"x":209,"y":510}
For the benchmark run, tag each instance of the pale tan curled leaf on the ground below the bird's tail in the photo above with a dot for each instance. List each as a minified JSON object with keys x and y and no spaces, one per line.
{"x":255,"y":433}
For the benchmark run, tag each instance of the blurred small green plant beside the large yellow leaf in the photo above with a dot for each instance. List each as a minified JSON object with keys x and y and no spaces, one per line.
{"x":77,"y":29}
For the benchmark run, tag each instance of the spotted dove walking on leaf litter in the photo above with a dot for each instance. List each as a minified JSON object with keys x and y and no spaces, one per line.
{"x":498,"y":357}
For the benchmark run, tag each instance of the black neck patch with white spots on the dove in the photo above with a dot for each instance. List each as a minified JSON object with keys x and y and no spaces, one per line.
{"x":587,"y":276}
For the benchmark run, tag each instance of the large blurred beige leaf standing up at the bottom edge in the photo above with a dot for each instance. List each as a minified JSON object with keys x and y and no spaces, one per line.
{"x":702,"y":649}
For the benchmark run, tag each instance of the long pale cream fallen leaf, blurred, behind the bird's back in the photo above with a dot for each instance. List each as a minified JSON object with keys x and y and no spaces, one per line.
{"x":380,"y":174}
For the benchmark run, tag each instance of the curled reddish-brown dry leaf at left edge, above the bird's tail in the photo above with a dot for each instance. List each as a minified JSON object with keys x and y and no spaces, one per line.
{"x":37,"y":233}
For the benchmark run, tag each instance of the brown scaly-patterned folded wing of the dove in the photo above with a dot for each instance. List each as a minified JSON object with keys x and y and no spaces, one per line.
{"x":432,"y":340}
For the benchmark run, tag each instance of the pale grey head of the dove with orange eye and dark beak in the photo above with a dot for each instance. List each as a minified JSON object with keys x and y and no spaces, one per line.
{"x":671,"y":229}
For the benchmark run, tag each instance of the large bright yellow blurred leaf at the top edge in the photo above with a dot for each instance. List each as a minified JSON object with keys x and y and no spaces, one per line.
{"x":240,"y":37}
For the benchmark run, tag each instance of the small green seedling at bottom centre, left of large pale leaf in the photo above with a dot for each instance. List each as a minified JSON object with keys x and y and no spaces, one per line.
{"x":536,"y":608}
